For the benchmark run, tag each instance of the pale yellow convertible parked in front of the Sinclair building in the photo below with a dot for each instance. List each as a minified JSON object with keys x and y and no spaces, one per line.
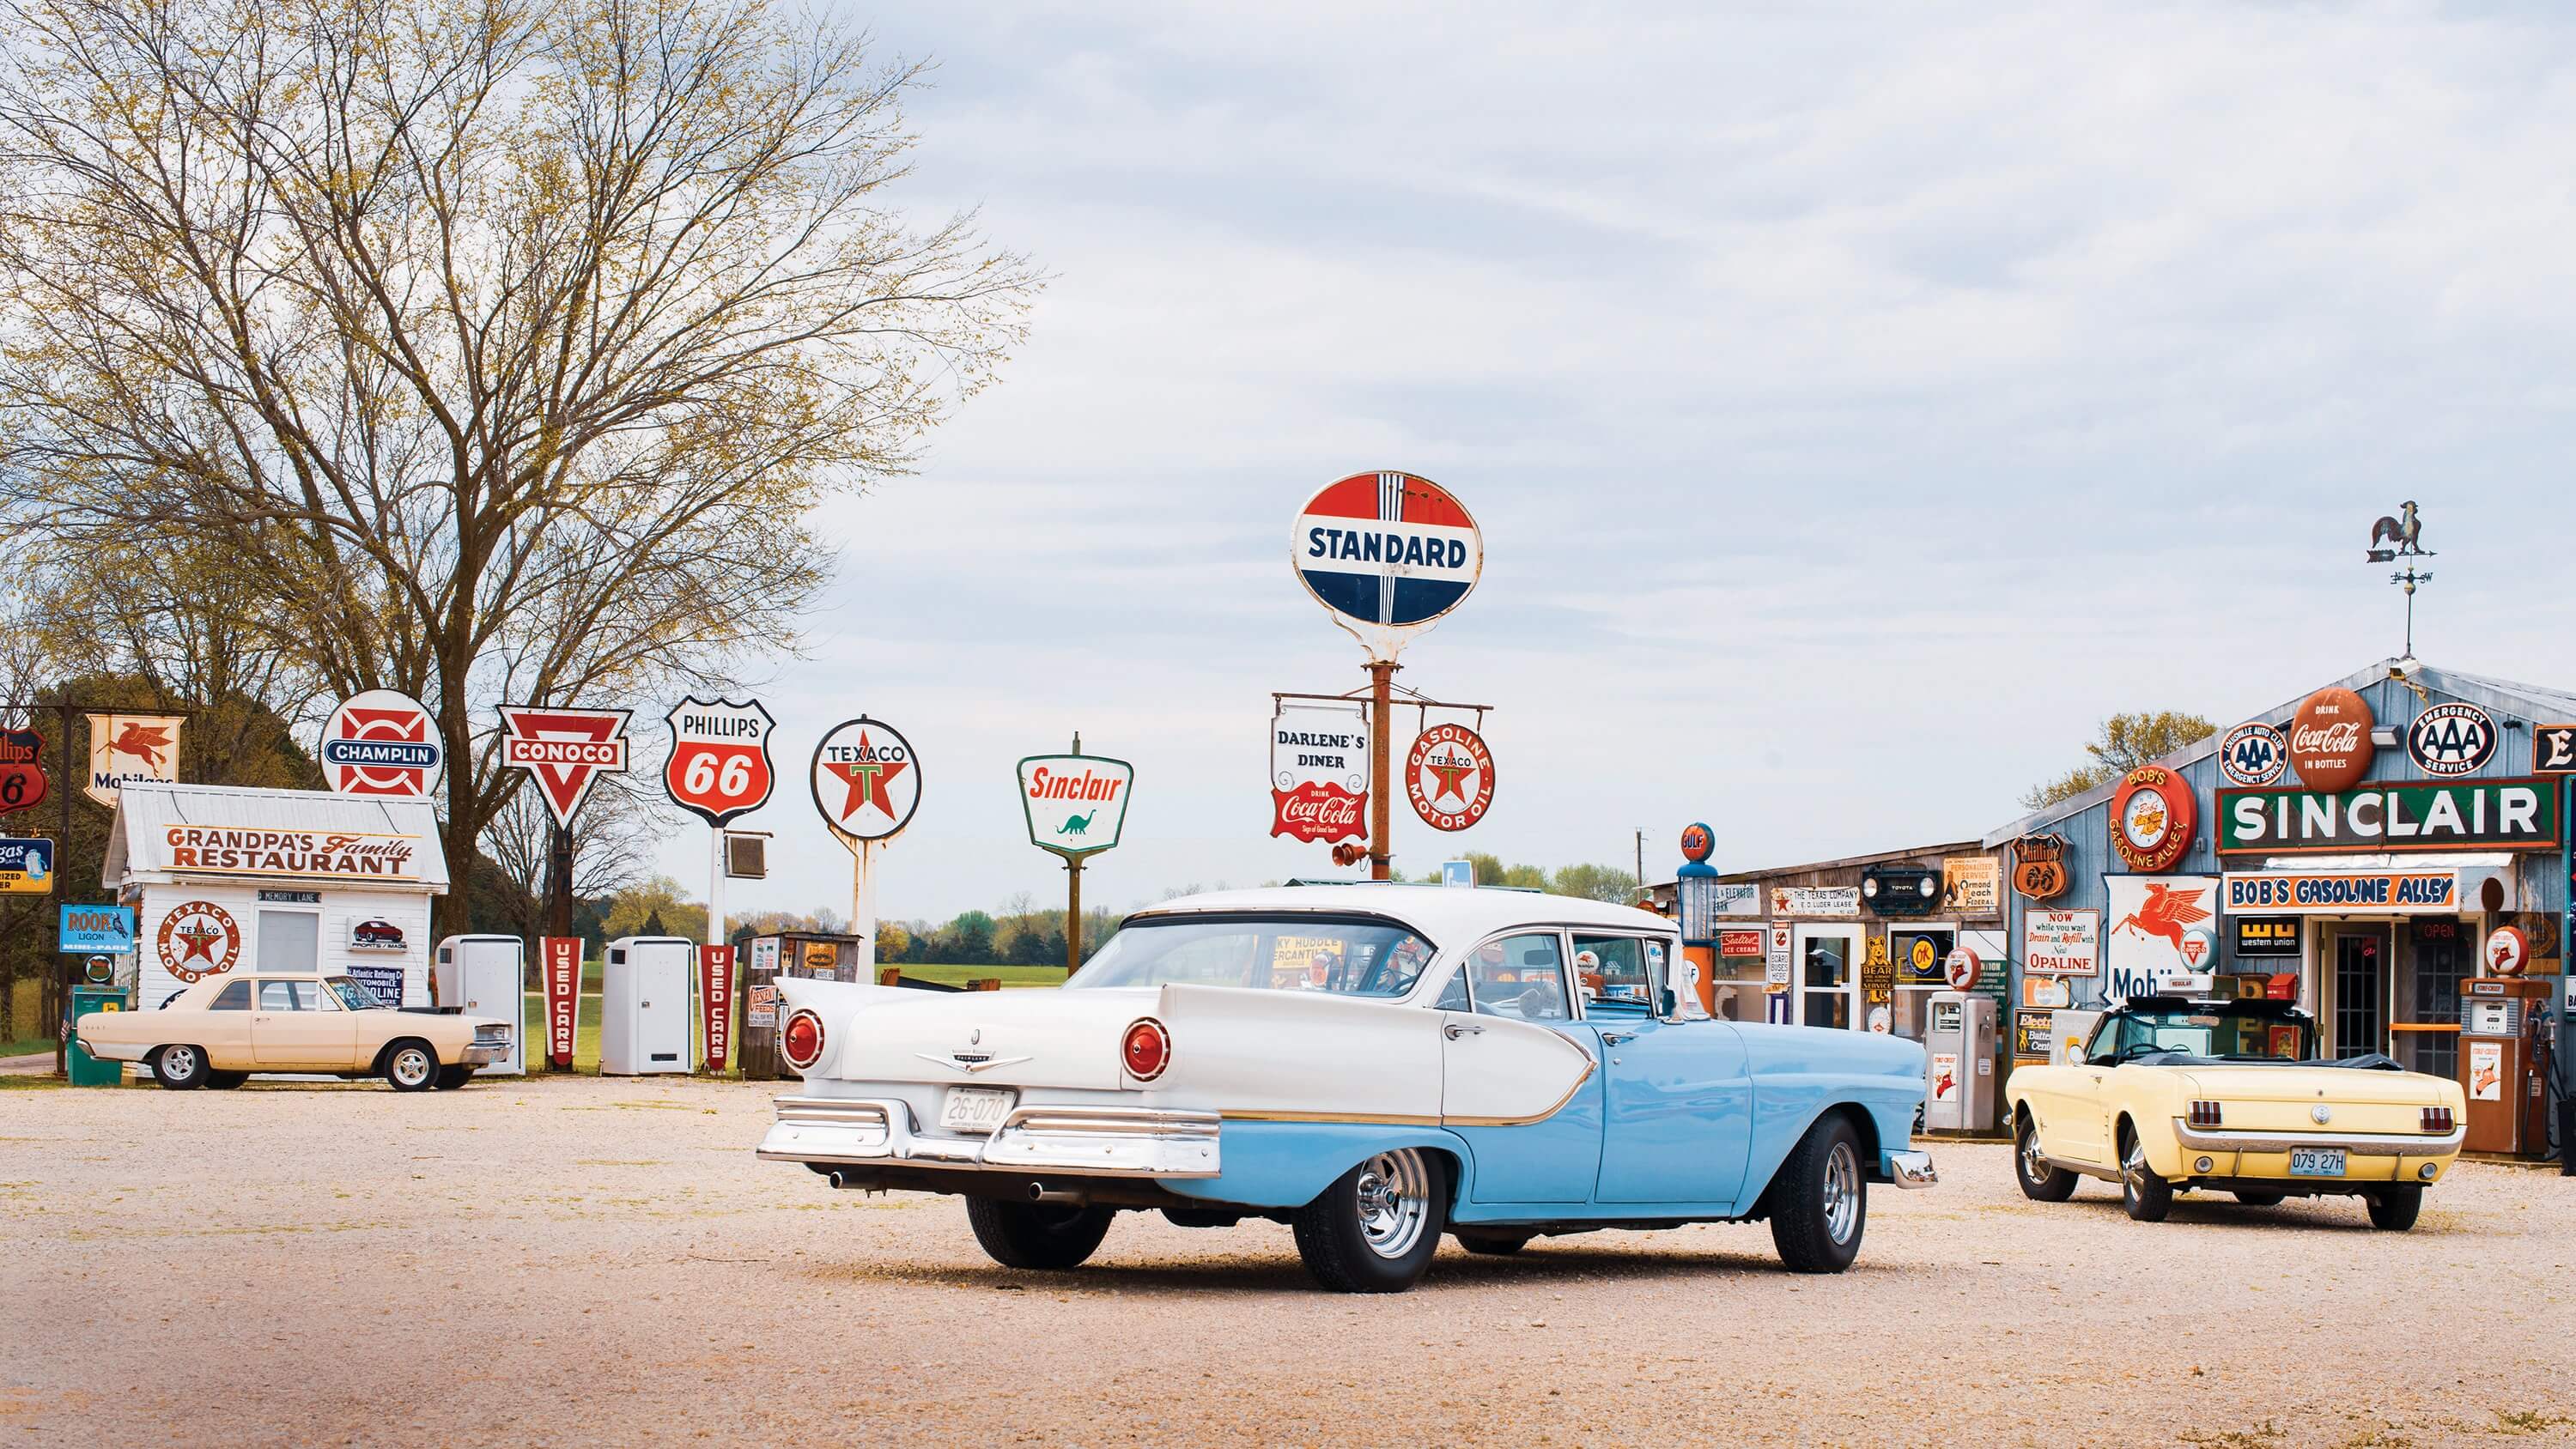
{"x":2230,"y":1095}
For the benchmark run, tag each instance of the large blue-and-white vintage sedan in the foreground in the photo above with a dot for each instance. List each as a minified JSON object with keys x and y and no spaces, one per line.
{"x":1369,"y":1064}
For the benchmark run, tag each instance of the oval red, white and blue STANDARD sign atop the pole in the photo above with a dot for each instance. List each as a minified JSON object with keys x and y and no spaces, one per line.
{"x":1387,"y":549}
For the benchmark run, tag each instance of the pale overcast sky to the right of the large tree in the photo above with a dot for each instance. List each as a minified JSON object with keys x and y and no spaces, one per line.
{"x":1859,"y":405}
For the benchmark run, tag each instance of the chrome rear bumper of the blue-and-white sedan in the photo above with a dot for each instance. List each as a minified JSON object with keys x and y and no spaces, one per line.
{"x":1075,"y":1141}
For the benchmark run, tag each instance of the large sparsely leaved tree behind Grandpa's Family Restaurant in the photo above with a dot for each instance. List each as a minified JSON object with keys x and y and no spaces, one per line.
{"x":501,"y":349}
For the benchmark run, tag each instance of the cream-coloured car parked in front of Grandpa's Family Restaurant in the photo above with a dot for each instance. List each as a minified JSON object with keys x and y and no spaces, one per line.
{"x":228,"y":1028}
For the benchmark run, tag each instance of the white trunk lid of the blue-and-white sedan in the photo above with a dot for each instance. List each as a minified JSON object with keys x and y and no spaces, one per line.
{"x":993,"y":1038}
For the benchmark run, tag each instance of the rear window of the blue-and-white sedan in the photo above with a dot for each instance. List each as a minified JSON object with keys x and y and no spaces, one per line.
{"x":1341,"y":956}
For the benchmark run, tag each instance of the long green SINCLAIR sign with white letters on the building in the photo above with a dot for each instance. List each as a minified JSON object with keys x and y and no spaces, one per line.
{"x":2459,"y":815}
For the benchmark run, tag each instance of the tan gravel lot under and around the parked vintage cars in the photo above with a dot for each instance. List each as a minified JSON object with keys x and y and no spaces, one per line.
{"x":589,"y":1260}
